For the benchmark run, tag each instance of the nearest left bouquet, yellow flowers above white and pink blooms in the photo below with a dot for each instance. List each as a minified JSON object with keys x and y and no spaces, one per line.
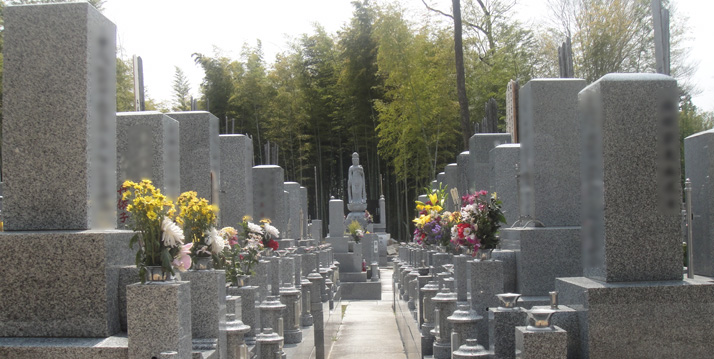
{"x":161,"y":247}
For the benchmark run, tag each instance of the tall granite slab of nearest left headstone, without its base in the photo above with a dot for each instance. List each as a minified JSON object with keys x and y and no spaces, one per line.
{"x":59,"y":118}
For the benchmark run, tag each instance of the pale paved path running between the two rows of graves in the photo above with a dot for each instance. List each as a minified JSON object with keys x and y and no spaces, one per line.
{"x":369,"y":328}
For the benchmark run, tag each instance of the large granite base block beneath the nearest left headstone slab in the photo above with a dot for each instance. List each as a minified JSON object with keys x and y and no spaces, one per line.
{"x":61,"y":283}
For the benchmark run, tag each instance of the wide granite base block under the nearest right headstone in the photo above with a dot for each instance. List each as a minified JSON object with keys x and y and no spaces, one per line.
{"x":628,"y":320}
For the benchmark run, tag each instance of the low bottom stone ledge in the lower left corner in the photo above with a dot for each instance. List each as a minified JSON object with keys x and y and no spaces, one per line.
{"x":115,"y":347}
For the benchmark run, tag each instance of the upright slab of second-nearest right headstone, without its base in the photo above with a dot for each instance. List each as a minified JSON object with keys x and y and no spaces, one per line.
{"x":548,"y":130}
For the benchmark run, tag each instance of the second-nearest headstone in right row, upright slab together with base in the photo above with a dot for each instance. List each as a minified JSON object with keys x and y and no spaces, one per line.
{"x":549,"y":186}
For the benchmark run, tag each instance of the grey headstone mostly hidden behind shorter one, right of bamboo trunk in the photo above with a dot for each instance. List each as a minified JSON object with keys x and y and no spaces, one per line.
{"x":480,"y":145}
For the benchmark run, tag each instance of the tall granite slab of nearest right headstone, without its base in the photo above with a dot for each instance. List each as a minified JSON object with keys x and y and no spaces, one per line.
{"x":631,"y":179}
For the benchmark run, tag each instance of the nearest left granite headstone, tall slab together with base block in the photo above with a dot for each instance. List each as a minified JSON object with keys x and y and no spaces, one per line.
{"x":60,"y":274}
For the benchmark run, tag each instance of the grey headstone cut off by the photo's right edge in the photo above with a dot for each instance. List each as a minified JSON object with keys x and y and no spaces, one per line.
{"x":699,"y":162}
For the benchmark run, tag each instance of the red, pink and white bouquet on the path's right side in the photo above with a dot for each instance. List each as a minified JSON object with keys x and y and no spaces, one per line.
{"x":479,"y":222}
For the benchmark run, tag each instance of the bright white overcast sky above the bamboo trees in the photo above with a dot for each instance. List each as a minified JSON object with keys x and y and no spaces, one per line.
{"x":166,"y":32}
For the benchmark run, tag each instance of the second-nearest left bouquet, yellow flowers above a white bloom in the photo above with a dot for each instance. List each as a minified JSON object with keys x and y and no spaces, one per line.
{"x":198,"y":219}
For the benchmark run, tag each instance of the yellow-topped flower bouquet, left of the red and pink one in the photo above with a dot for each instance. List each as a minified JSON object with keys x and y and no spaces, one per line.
{"x":433,"y":223}
